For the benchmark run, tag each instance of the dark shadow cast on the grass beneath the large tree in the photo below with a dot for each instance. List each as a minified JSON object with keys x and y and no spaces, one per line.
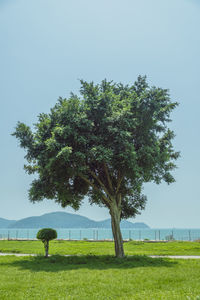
{"x":57,"y":263}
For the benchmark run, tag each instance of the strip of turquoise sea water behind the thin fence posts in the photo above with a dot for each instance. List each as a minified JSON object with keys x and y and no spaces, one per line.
{"x":106,"y":234}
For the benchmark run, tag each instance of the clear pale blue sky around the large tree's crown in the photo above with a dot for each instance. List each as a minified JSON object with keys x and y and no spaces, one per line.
{"x":46,"y":46}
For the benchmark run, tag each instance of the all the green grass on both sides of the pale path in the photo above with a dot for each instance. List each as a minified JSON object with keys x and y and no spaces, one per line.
{"x":97,"y":274}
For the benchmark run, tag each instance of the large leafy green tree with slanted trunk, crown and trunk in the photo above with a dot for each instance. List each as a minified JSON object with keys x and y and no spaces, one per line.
{"x":104,"y":144}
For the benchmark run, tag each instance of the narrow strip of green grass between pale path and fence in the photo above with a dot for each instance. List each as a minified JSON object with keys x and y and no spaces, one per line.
{"x":102,"y":248}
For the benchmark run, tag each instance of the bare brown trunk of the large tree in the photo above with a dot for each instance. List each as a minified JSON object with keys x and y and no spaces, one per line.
{"x":115,"y":222}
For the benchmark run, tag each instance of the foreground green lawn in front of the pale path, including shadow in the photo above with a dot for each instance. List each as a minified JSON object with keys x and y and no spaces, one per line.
{"x":98,"y":277}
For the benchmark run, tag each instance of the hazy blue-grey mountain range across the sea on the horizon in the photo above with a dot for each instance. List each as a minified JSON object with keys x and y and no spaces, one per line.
{"x":67,"y":220}
